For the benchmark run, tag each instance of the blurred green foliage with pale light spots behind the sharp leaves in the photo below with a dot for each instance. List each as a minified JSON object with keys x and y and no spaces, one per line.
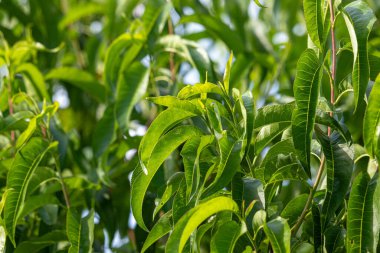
{"x":99,"y":59}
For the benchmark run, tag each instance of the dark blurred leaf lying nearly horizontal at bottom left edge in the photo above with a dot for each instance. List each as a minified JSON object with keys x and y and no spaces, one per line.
{"x":37,"y":244}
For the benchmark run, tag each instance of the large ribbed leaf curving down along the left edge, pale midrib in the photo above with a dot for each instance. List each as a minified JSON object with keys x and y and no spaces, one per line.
{"x":20,"y":173}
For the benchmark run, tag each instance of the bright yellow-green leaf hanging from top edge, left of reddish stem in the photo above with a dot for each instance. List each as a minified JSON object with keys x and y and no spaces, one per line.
{"x":314,"y":21}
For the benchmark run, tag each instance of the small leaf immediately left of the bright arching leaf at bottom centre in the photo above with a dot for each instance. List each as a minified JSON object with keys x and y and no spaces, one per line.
{"x":160,"y":229}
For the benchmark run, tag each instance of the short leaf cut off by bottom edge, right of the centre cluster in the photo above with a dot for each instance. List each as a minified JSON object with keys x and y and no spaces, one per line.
{"x":278,"y":232}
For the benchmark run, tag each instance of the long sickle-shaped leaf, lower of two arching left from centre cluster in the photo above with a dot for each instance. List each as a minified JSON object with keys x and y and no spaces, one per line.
{"x":143,"y":176}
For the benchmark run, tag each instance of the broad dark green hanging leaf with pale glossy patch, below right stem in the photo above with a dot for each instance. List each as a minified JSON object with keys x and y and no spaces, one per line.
{"x":339,"y":165}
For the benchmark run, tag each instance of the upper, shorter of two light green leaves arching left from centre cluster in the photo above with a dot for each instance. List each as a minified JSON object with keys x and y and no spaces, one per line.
{"x":160,"y":125}
